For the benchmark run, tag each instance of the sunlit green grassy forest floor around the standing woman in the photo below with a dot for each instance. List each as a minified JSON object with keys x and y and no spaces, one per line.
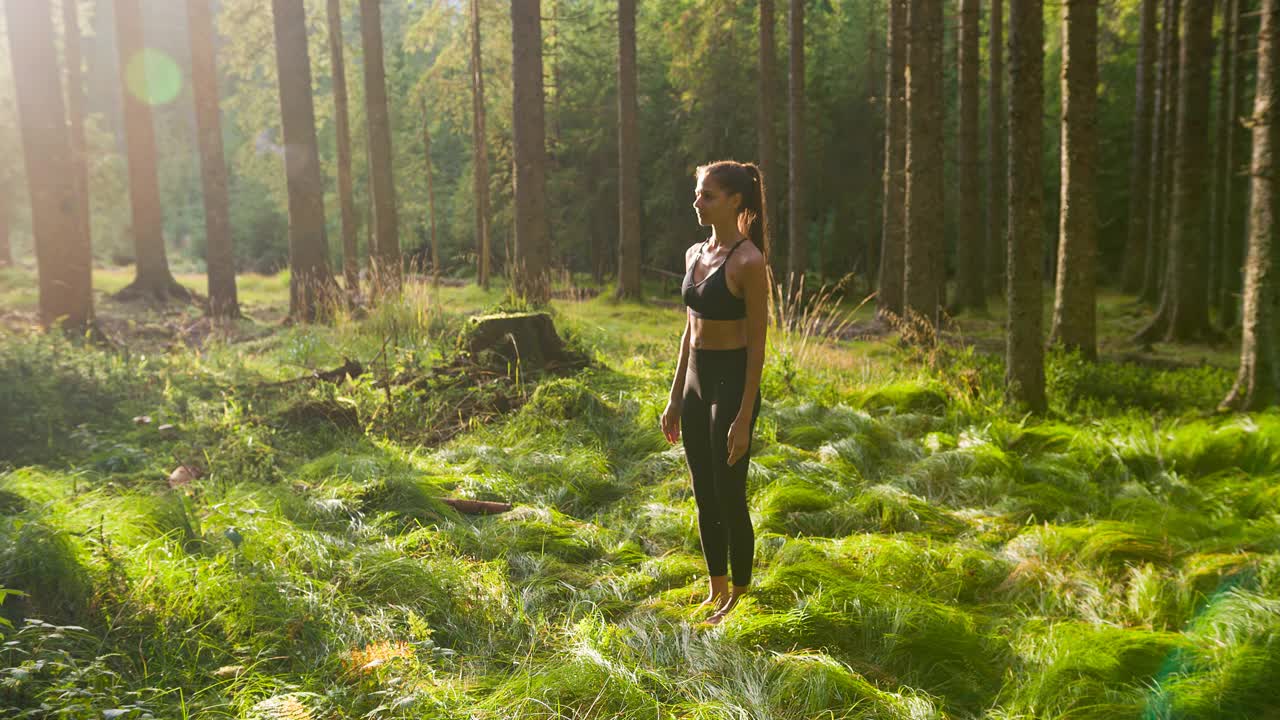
{"x":922,"y":550}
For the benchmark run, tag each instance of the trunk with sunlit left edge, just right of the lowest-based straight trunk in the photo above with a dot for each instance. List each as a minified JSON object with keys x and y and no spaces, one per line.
{"x":1075,"y":317}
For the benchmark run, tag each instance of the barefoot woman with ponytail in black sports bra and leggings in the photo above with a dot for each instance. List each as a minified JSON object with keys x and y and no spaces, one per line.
{"x":716,"y":394}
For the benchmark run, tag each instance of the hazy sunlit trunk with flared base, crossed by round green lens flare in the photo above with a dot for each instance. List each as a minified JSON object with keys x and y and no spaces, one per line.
{"x":153,"y":279}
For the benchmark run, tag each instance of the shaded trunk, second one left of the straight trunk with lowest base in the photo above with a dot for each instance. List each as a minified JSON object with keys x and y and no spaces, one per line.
{"x":970,"y":241}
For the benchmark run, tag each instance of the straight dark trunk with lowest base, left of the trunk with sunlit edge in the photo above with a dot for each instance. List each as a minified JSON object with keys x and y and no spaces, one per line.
{"x":1025,"y":350}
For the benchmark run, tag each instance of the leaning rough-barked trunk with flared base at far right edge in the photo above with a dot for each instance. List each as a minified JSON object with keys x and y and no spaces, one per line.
{"x":1258,"y":385}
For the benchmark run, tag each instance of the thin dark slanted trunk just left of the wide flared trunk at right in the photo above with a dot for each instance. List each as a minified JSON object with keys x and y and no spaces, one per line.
{"x":1162,"y":149}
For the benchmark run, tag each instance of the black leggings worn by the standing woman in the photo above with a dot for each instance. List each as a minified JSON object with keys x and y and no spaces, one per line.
{"x":714,"y":395}
